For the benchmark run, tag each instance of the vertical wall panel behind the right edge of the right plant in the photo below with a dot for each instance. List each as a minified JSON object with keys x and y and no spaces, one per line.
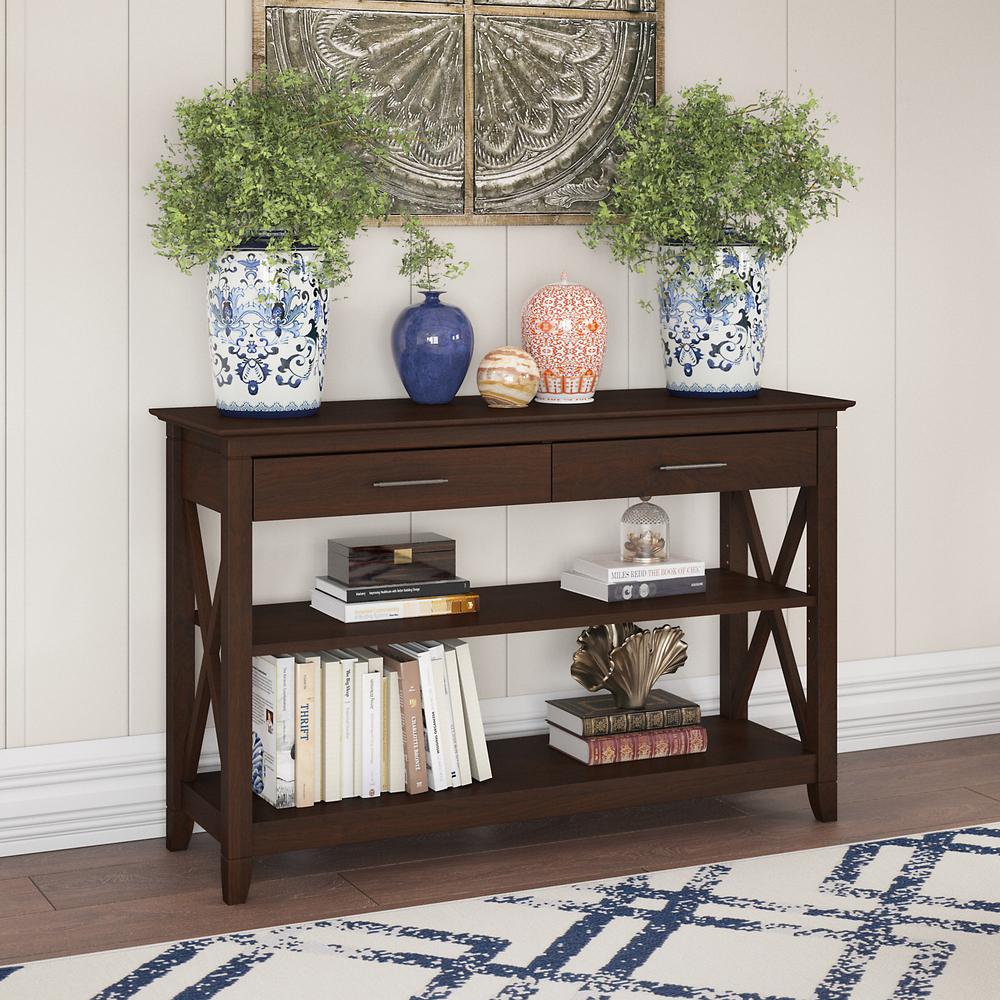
{"x":841,"y":297}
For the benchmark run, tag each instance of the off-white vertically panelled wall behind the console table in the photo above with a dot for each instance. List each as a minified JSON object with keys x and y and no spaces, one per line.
{"x":89,"y":91}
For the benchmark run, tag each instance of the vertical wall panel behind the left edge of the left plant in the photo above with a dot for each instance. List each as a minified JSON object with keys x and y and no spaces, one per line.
{"x":168,"y":353}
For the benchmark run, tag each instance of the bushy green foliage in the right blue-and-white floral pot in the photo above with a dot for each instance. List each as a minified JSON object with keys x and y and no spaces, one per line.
{"x":702,"y":173}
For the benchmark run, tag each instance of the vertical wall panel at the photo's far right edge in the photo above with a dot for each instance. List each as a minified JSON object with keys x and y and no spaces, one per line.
{"x":947,"y":476}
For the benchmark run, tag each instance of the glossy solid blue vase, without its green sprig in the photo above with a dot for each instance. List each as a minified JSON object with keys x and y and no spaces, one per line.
{"x":432,"y":346}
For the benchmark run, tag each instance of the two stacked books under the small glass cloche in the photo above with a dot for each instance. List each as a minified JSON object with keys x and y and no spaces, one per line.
{"x":609,"y":578}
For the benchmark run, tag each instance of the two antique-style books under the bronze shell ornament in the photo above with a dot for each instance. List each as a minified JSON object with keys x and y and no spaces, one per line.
{"x":594,"y":731}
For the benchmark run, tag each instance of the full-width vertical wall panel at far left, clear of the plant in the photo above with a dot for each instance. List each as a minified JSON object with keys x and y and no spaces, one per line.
{"x":74,"y":371}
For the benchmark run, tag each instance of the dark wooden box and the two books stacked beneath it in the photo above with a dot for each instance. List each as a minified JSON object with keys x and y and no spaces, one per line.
{"x":375,"y":579}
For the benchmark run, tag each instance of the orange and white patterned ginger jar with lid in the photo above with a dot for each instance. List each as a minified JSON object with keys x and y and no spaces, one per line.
{"x":564,"y":327}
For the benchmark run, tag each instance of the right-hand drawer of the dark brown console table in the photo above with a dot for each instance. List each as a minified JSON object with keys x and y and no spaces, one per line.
{"x":711,"y":463}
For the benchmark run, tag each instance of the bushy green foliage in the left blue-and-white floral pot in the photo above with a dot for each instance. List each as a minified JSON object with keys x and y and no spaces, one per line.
{"x":278,"y":157}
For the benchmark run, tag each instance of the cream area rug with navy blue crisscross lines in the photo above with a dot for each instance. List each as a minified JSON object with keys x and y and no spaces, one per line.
{"x":910,"y":917}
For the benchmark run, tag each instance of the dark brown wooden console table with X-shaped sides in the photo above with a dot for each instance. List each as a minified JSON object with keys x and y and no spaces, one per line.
{"x":366,"y":456}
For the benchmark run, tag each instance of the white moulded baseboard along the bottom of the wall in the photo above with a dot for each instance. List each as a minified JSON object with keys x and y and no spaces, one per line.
{"x":110,"y":791}
